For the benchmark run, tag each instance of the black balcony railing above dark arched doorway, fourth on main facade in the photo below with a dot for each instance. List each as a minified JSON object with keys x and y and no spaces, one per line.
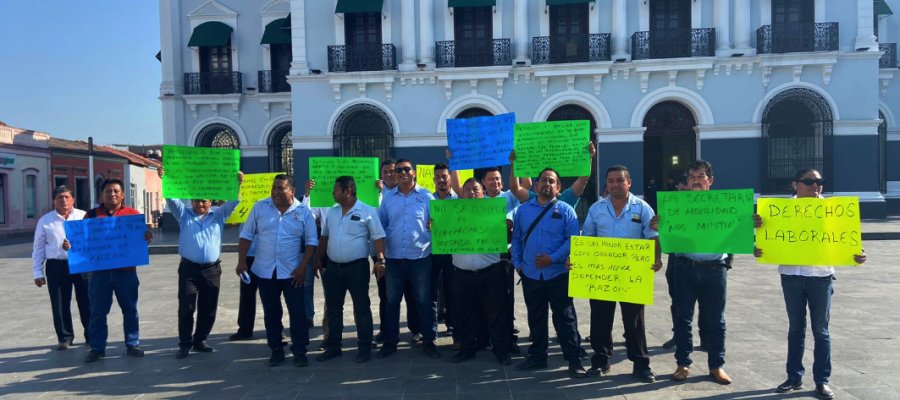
{"x":673,"y":43}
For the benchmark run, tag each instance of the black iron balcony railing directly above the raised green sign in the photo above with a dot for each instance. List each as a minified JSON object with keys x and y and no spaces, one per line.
{"x":570,"y":49}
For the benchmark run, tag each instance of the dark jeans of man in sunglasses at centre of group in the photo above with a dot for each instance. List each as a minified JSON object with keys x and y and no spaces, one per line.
{"x":417,"y":273}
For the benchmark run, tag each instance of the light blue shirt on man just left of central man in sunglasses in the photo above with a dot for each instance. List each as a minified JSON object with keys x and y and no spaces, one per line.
{"x":349,"y":235}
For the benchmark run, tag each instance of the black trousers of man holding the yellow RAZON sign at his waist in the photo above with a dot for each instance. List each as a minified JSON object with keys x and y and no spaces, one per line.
{"x":602,"y":315}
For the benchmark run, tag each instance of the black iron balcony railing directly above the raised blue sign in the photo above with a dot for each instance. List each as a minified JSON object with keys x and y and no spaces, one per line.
{"x":468,"y":54}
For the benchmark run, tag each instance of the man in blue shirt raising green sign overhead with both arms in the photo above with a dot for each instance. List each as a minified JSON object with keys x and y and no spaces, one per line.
{"x":199,"y":244}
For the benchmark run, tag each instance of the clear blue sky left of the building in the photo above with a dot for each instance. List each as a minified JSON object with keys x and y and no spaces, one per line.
{"x":76,"y":69}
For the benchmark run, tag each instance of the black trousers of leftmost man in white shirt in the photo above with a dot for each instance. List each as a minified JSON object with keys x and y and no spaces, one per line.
{"x":60,"y":284}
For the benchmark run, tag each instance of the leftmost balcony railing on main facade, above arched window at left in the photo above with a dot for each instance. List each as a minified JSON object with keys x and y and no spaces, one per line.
{"x":353,"y":58}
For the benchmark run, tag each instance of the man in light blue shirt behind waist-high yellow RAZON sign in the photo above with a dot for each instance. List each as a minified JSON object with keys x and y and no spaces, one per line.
{"x":621,"y":215}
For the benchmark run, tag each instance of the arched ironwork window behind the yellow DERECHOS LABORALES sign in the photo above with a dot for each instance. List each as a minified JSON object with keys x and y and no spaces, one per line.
{"x":797,"y":127}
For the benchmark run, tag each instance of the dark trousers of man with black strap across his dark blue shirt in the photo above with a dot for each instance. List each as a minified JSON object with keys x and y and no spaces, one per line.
{"x":554,"y":292}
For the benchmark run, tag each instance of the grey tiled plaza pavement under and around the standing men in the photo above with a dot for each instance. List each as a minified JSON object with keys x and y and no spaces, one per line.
{"x":865,"y":327}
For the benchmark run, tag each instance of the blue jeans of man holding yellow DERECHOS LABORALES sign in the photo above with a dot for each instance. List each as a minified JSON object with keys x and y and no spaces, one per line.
{"x":800,"y":291}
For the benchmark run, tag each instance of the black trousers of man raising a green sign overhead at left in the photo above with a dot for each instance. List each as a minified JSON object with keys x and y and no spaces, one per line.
{"x":198,"y":290}
